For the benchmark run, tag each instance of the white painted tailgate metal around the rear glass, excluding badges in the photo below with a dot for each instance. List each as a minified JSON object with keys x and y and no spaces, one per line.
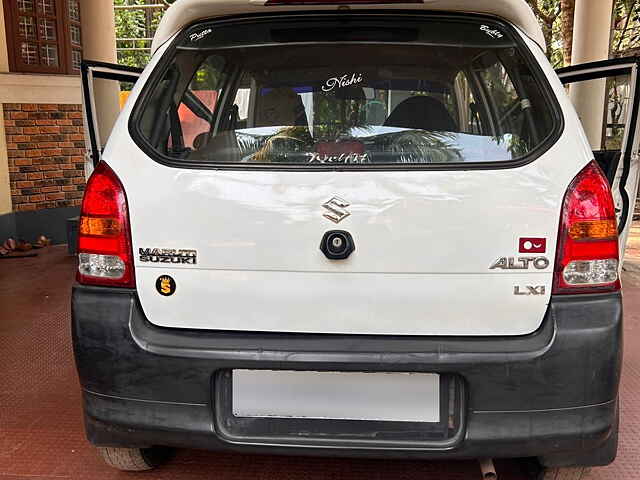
{"x":425,"y":241}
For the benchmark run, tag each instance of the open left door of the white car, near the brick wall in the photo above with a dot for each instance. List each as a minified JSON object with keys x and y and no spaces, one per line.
{"x":105,"y":88}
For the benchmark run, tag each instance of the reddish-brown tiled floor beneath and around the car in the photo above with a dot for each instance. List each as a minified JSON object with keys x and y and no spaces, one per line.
{"x":41,"y":435}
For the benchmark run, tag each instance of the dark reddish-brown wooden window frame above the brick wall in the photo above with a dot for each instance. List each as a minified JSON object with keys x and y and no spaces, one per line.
{"x":63,"y":40}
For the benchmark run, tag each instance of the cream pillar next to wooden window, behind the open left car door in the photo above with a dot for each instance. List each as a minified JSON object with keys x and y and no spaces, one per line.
{"x":99,"y":43}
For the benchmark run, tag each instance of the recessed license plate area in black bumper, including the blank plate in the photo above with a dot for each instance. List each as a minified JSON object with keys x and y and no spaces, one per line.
{"x":397,"y":410}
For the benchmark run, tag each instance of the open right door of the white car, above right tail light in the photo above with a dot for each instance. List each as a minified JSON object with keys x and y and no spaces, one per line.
{"x":605,"y":95}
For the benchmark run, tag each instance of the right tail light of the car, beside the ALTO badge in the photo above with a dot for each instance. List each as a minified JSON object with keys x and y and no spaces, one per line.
{"x":588,"y":257}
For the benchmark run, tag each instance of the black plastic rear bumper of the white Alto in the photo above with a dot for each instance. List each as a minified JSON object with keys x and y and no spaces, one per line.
{"x":551,"y":393}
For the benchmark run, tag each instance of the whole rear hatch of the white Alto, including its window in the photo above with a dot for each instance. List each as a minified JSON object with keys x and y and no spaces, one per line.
{"x":431,"y":140}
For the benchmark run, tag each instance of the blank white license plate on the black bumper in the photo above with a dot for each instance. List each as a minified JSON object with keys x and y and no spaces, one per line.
{"x":393,"y":397}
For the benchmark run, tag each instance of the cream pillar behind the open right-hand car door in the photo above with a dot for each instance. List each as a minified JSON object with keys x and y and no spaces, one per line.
{"x":591,"y":42}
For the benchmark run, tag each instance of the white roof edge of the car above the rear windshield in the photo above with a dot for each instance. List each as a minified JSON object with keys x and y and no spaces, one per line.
{"x":185,"y":12}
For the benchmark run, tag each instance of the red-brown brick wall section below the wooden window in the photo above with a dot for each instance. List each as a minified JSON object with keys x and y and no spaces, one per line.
{"x":45,"y":145}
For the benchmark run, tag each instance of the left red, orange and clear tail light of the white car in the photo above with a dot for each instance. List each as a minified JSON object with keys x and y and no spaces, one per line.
{"x":104,"y":238}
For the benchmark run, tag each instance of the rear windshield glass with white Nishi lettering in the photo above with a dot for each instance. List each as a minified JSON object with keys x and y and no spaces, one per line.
{"x":349,"y":91}
